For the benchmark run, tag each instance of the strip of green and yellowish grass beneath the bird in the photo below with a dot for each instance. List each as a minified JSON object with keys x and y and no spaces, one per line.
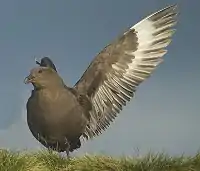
{"x":50,"y":161}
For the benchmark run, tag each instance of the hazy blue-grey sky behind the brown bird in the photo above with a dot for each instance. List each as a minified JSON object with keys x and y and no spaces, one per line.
{"x":162,"y":117}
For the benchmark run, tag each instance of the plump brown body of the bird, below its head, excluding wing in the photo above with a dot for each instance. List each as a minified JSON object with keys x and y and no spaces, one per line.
{"x":51,"y":124}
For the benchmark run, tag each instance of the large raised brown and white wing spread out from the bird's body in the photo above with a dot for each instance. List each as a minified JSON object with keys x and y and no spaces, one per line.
{"x":114,"y":75}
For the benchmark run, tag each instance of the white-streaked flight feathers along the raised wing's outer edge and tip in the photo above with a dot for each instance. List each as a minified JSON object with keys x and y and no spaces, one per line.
{"x":154,"y":35}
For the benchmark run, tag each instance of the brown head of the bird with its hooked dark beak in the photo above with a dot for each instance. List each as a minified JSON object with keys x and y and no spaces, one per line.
{"x":43,"y":77}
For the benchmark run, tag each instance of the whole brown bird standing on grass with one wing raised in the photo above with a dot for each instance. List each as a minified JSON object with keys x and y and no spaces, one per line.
{"x":61,"y":117}
